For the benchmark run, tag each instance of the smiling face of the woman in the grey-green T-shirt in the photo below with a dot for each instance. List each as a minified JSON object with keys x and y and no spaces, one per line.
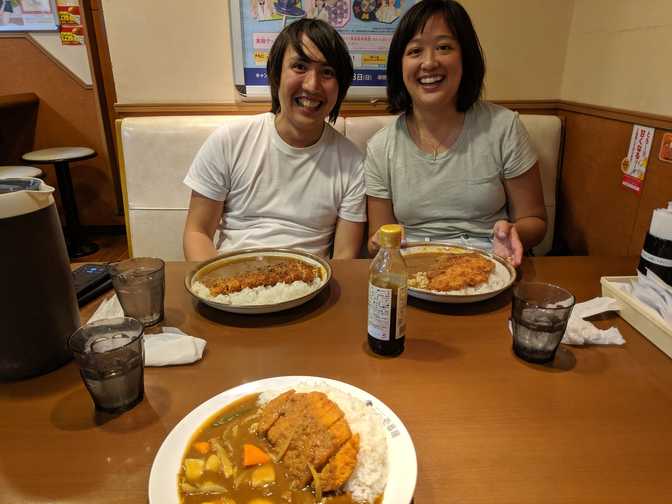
{"x":432,"y":66}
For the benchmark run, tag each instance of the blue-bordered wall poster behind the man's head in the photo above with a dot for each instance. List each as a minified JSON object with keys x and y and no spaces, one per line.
{"x":365,"y":25}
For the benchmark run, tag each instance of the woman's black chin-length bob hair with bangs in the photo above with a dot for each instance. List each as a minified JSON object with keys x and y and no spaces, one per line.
{"x":412,"y":23}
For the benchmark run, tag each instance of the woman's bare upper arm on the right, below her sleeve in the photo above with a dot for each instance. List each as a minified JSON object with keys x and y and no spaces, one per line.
{"x":525,"y":201}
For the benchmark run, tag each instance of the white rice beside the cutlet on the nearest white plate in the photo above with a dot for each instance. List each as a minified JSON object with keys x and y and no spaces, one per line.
{"x":370,"y":475}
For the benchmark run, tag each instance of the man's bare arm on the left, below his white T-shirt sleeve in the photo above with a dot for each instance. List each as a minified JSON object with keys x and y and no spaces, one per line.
{"x":202,"y":220}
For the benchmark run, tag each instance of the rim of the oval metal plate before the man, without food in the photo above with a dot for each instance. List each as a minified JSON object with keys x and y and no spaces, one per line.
{"x":222,"y":260}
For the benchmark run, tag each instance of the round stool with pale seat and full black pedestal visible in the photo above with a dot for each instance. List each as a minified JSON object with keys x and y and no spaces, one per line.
{"x":60,"y":157}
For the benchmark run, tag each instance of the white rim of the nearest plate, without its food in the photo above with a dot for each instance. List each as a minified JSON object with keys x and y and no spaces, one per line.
{"x":401,"y":457}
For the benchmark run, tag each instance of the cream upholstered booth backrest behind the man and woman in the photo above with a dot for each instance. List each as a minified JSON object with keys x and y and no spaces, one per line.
{"x":156,"y":152}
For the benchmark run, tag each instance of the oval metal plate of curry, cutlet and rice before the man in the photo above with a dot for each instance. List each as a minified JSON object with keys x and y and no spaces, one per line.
{"x":254,"y":281}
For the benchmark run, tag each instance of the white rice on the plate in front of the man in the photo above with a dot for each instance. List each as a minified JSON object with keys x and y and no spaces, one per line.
{"x":277,"y":293}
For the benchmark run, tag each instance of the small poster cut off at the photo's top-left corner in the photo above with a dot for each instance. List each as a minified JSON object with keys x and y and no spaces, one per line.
{"x":28,"y":15}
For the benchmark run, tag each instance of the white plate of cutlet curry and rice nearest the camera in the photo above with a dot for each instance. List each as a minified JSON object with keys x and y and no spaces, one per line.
{"x":287,"y":440}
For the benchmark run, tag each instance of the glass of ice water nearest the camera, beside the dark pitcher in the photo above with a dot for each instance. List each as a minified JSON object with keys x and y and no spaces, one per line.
{"x":111,"y":356}
